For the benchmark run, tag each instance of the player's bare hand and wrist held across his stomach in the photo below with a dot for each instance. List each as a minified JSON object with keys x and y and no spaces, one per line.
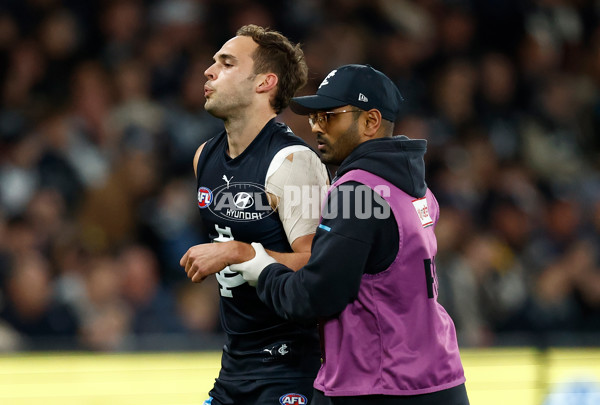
{"x":201,"y":261}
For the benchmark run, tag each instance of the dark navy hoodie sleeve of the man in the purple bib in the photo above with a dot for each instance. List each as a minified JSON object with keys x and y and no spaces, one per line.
{"x":354,"y":238}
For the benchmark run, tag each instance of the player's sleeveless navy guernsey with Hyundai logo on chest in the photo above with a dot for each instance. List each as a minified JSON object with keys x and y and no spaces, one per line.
{"x":233,"y":205}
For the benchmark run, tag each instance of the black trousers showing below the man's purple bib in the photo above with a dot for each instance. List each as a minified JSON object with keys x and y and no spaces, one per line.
{"x":451,"y":396}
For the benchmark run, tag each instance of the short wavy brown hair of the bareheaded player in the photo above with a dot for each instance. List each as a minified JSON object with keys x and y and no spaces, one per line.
{"x":276,"y":54}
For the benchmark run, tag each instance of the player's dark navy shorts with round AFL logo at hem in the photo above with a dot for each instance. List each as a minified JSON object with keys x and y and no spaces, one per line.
{"x":293,"y":391}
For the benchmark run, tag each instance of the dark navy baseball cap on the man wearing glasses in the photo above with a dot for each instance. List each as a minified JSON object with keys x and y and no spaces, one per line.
{"x":357,"y":85}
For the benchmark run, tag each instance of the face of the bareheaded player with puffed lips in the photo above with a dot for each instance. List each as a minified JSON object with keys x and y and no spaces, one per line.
{"x":230,"y":86}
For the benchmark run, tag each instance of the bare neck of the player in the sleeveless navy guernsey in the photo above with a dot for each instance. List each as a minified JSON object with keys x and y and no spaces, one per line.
{"x":242,"y":130}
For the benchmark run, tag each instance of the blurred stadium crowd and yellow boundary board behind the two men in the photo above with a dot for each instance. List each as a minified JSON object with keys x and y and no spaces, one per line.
{"x":101,"y":112}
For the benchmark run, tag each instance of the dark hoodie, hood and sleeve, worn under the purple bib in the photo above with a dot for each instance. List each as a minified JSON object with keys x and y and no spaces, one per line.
{"x":347,"y":246}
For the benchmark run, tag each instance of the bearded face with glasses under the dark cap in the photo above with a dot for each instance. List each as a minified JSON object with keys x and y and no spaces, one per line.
{"x":338,"y":135}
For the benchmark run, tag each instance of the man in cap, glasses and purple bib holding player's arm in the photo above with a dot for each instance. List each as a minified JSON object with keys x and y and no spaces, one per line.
{"x":371,"y":279}
